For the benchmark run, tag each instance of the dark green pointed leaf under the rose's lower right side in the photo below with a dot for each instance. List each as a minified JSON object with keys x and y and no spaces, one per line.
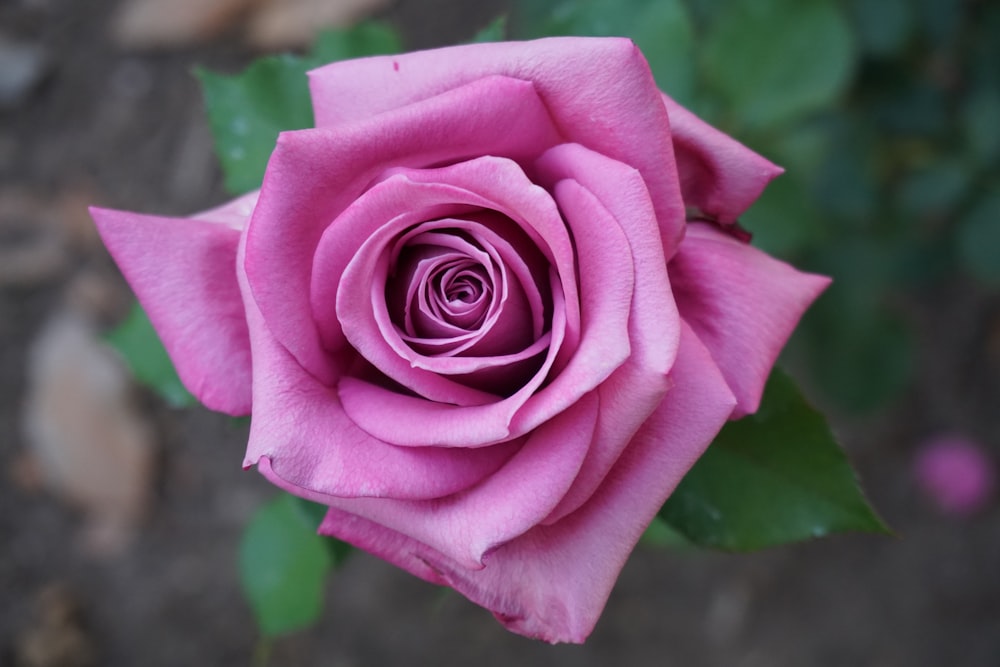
{"x":773,"y":477}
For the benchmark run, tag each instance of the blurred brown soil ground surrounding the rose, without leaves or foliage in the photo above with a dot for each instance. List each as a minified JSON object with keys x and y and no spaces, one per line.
{"x":126,"y":129}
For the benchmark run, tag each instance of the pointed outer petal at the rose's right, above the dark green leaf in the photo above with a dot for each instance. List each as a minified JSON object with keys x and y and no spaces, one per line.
{"x":742,"y":303}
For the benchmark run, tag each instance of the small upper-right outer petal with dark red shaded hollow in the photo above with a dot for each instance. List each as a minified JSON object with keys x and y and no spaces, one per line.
{"x":719,"y":176}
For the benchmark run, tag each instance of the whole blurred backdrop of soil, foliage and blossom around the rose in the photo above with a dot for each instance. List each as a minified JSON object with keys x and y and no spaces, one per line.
{"x":120,"y":515}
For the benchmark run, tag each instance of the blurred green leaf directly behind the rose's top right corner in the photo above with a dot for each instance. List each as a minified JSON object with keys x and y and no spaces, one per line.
{"x":662,"y":29}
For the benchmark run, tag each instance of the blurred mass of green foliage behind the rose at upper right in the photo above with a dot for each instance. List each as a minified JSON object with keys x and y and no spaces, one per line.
{"x":886,"y":116}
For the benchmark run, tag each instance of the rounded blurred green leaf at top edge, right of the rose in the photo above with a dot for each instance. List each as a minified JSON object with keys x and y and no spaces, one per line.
{"x":773,"y":60}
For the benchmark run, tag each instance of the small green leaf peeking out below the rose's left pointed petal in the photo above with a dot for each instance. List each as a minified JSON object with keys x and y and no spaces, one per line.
{"x":140,"y":347}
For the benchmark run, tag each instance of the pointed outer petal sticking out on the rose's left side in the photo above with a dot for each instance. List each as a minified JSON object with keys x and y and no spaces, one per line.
{"x":183,"y":271}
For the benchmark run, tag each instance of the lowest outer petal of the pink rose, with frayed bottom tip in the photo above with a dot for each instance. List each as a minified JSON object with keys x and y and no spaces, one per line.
{"x":552,"y":582}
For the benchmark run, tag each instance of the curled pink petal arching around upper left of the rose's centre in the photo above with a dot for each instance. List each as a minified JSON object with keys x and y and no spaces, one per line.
{"x":313,"y":175}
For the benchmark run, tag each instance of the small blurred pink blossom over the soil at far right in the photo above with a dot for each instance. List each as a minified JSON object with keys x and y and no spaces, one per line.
{"x":956,"y":473}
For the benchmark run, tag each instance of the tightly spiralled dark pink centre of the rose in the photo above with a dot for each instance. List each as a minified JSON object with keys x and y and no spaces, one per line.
{"x":471,"y":287}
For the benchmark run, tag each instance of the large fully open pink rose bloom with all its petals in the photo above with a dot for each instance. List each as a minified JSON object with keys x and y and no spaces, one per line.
{"x":490,"y":311}
